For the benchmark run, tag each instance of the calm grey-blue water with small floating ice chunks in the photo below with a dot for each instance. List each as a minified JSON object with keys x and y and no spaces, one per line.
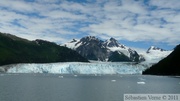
{"x":54,"y":87}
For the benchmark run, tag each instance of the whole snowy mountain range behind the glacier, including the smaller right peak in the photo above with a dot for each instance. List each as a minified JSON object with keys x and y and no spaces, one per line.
{"x":93,"y":48}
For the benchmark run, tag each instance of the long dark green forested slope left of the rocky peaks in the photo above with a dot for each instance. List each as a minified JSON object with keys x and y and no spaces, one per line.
{"x":17,"y":50}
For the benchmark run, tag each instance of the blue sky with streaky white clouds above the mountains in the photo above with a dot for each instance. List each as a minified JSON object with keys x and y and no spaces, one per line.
{"x":135,"y":23}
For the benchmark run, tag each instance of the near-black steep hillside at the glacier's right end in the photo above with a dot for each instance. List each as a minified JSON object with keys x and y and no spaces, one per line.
{"x":167,"y":66}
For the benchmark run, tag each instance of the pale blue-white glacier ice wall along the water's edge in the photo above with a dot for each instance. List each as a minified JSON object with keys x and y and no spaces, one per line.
{"x":79,"y":68}
